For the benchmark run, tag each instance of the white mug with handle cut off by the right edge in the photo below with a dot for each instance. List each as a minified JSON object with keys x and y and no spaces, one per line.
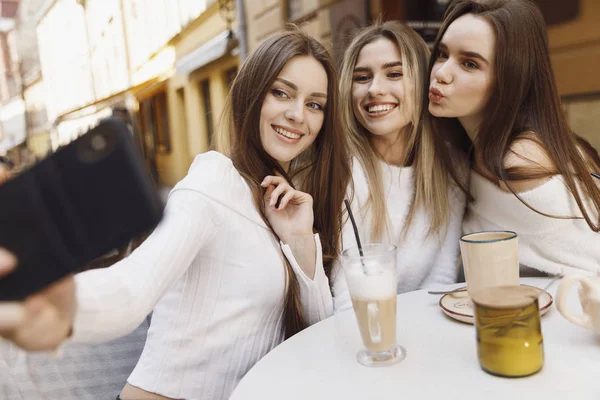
{"x":589,"y":296}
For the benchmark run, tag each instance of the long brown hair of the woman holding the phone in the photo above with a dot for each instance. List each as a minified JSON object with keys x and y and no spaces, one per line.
{"x":322,"y":170}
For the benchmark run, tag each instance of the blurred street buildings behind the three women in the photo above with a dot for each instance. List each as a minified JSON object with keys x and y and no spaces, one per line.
{"x":165,"y":66}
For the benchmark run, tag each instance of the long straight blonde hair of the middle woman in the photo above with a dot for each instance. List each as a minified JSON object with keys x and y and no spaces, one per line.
{"x":422,"y":150}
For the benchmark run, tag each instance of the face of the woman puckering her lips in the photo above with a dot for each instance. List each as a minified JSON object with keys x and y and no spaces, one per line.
{"x":462,"y":75}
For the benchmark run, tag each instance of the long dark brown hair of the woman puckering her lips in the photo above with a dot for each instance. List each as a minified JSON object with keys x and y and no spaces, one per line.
{"x":523,"y":105}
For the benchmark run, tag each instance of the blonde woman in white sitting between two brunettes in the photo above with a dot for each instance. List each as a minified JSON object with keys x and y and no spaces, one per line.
{"x":402,"y":192}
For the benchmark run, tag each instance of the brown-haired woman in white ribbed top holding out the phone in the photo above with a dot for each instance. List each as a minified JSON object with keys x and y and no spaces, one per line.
{"x":240,"y":261}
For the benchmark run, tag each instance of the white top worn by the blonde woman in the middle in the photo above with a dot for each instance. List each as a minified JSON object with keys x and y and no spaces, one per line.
{"x":422,"y":261}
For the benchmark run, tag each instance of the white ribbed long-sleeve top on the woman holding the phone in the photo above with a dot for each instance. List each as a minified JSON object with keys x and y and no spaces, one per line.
{"x":214,"y":275}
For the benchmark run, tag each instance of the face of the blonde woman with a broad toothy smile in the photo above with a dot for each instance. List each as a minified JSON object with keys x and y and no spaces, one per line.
{"x":380,"y":97}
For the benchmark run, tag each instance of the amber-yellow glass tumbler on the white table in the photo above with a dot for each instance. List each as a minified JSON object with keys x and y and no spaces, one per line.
{"x":509,"y":333}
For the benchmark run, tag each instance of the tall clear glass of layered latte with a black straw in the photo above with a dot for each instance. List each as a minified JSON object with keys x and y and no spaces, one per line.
{"x":371,"y":276}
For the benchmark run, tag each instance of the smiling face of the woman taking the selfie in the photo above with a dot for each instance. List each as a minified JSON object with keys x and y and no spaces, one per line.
{"x":293,"y":110}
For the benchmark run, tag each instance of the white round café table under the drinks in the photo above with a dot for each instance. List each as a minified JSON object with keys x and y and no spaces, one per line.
{"x":441,"y":363}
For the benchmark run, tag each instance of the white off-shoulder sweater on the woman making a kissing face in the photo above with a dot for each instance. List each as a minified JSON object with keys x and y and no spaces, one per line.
{"x":547,"y":244}
